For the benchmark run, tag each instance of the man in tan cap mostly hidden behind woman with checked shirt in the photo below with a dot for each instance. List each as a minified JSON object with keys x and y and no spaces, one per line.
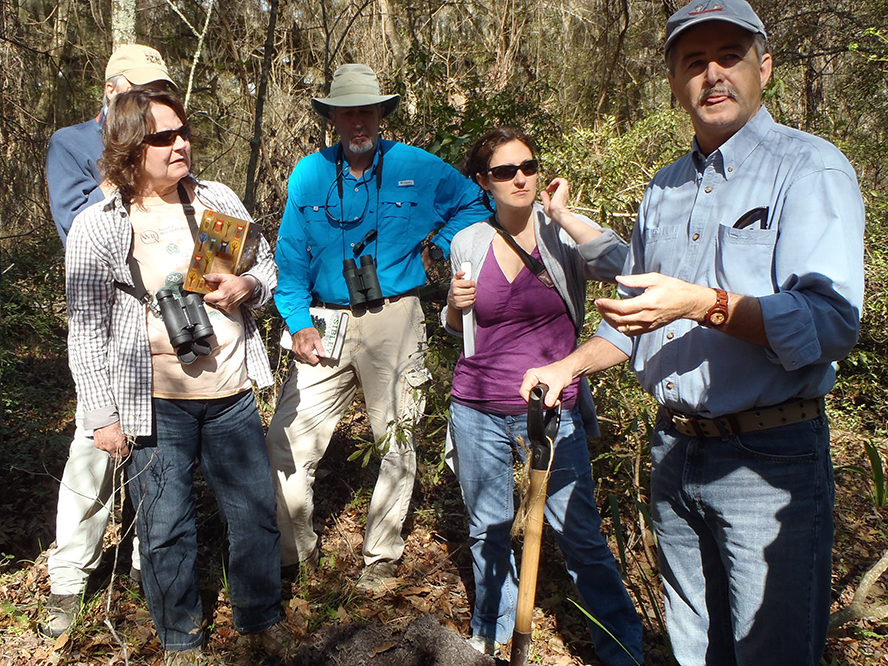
{"x":85,"y":497}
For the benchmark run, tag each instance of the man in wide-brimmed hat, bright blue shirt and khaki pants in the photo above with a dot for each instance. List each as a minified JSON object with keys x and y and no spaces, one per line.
{"x":354,"y":237}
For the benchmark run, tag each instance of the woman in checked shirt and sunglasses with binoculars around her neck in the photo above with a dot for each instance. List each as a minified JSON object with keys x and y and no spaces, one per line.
{"x":166,"y":407}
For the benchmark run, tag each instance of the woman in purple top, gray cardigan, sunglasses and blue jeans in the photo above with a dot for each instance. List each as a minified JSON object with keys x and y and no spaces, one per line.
{"x":527,"y":311}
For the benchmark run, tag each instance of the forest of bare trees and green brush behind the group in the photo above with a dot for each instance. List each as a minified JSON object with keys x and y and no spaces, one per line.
{"x":585,"y":77}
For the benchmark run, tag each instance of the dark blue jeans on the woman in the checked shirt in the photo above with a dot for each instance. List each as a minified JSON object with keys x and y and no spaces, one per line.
{"x":224,"y":436}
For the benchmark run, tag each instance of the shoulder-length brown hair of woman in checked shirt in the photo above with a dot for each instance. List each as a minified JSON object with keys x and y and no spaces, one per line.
{"x":128,"y":122}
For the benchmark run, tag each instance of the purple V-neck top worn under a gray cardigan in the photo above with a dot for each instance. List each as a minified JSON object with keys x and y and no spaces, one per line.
{"x":521,"y":325}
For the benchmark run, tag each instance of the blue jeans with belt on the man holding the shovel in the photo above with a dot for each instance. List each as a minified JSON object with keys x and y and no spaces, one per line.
{"x":745,"y":533}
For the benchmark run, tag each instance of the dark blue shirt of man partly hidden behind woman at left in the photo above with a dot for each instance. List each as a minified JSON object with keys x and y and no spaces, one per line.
{"x":72,"y":172}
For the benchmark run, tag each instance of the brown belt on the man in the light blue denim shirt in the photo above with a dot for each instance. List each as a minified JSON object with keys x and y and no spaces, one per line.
{"x":793,"y":411}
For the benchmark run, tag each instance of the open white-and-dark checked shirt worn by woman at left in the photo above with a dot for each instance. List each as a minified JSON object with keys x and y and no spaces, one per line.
{"x":108,"y":348}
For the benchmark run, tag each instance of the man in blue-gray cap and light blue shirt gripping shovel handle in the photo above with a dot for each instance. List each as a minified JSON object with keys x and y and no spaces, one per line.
{"x":743,"y":287}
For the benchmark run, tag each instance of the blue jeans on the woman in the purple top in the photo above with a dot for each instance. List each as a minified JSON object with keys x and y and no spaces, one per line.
{"x":486,"y":445}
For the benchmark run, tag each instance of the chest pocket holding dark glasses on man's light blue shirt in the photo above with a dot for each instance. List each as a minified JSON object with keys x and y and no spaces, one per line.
{"x":744,"y":262}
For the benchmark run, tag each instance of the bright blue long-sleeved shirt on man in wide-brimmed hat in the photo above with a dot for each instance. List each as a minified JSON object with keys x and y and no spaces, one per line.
{"x":418,"y":194}
